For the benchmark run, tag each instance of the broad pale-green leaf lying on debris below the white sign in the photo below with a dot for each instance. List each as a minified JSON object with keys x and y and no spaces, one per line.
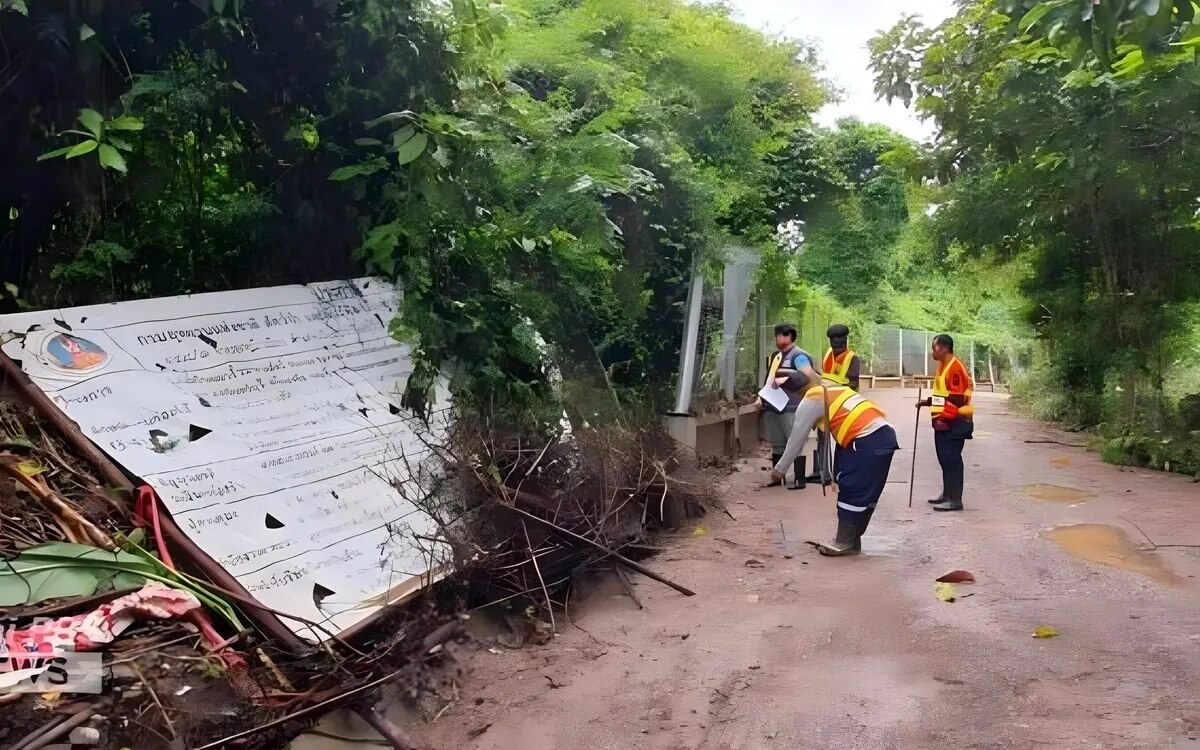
{"x":63,"y":571}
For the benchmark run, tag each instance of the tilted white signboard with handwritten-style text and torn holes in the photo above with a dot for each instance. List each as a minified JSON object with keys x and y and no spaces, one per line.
{"x":268,"y":422}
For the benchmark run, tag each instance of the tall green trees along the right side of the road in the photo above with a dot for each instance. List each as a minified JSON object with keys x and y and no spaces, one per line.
{"x":1069,"y":137}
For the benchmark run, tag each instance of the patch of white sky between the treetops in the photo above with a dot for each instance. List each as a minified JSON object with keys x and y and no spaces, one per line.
{"x":842,"y":28}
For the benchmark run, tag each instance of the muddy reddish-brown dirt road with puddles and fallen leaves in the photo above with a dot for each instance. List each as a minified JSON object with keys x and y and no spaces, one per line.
{"x":783,"y":649}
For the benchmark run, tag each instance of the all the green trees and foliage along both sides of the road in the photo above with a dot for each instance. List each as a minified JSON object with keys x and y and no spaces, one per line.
{"x":556,"y":169}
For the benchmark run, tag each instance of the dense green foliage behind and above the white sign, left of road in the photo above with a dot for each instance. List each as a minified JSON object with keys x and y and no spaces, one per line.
{"x":550,"y":166}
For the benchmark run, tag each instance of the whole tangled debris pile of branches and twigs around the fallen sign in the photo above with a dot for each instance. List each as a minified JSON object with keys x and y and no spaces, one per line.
{"x":183,"y":664}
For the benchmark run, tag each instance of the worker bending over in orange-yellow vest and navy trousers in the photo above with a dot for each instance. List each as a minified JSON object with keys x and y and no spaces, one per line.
{"x":865,"y":443}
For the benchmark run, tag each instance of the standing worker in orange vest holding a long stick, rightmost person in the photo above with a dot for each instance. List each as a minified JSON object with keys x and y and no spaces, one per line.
{"x":953,"y":421}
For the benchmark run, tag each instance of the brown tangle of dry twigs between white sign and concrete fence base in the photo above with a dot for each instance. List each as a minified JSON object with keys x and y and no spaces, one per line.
{"x":547,"y":509}
